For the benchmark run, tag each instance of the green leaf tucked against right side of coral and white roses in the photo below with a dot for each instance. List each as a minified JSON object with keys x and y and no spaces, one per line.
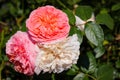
{"x":75,"y":30}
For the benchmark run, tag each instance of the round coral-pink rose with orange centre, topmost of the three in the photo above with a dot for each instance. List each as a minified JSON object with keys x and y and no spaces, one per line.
{"x":48,"y":24}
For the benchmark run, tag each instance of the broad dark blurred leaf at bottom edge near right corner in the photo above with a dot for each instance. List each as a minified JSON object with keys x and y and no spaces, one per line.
{"x":105,"y":72}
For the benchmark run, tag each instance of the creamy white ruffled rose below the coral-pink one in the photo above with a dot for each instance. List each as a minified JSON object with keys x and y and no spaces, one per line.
{"x":58,"y":56}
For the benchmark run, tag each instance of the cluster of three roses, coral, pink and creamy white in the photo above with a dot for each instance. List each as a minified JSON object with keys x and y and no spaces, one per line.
{"x":46,"y":46}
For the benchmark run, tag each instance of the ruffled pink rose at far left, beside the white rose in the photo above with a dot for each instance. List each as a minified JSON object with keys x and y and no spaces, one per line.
{"x":22,"y":53}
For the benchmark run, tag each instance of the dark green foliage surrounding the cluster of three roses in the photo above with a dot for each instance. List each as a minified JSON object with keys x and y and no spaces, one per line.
{"x":100,"y":40}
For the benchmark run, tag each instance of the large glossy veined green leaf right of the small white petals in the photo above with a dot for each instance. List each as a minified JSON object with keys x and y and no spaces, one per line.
{"x":94,"y":33}
